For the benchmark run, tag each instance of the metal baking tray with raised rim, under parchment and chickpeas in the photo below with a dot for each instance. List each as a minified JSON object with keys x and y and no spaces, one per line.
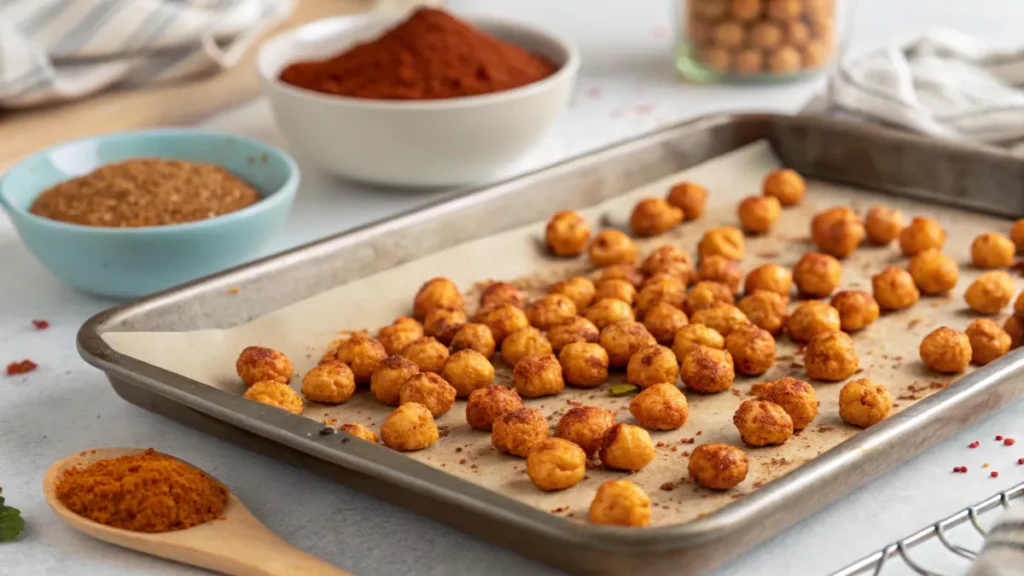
{"x":823,"y":149}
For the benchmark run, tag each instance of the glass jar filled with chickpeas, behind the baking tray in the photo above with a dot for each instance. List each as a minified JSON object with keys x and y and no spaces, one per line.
{"x":756,"y":40}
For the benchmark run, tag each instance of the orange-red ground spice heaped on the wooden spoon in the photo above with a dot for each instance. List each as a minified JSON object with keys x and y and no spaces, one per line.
{"x":146,"y":492}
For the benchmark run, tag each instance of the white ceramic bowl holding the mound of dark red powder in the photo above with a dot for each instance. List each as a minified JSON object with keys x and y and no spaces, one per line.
{"x":413,"y":143}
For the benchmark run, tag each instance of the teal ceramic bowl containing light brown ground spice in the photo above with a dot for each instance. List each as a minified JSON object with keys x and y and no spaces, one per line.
{"x":130,"y":263}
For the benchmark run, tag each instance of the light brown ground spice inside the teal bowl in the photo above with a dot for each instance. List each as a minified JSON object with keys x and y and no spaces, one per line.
{"x":146,"y":192}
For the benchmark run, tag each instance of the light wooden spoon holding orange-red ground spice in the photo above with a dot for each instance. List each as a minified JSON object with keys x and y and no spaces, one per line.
{"x":237,"y":545}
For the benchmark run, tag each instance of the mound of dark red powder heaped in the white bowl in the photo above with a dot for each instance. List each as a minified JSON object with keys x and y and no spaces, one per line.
{"x":431,"y":56}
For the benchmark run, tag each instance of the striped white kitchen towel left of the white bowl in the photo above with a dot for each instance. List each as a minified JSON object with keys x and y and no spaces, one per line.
{"x":55,"y":51}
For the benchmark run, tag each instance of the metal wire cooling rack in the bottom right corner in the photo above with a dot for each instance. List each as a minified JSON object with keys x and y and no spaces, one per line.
{"x":952,"y":546}
